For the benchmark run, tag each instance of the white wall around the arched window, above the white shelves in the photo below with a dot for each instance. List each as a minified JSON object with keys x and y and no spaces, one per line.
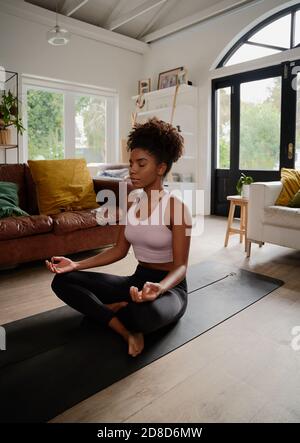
{"x":197,"y":48}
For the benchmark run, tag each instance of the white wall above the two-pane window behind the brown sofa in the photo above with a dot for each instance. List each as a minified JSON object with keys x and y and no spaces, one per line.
{"x":24,"y":49}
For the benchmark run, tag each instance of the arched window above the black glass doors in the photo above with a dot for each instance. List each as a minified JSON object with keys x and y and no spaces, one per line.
{"x":279,"y":33}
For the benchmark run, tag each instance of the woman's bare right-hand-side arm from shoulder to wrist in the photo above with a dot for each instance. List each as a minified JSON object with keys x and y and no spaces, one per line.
{"x":181,"y":243}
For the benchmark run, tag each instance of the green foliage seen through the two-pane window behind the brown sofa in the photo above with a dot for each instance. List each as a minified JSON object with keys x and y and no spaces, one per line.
{"x":45,"y":111}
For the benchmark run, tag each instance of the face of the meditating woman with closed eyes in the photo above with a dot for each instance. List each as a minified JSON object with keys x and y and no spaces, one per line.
{"x":143,"y":168}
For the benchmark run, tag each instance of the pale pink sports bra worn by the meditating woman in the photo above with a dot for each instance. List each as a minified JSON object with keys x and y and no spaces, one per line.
{"x":151,"y":239}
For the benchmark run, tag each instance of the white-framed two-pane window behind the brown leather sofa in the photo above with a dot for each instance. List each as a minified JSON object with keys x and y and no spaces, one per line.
{"x":64,"y":122}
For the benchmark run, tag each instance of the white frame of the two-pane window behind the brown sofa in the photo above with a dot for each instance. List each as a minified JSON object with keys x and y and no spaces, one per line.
{"x":70,"y":90}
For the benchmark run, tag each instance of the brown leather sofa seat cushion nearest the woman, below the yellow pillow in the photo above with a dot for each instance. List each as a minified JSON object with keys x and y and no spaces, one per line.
{"x":73,"y":221}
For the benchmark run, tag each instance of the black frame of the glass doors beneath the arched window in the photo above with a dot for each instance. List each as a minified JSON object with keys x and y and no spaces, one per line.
{"x":227,"y":177}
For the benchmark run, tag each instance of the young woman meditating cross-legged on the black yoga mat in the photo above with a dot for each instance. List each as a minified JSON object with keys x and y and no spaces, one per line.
{"x":156,"y":294}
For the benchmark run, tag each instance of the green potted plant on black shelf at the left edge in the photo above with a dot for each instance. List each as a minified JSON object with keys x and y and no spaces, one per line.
{"x":9,"y":116}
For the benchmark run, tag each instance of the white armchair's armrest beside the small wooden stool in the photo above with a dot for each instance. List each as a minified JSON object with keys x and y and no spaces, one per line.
{"x":261,"y":194}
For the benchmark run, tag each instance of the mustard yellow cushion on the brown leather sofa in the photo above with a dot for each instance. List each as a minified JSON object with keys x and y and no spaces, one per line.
{"x":63,"y":185}
